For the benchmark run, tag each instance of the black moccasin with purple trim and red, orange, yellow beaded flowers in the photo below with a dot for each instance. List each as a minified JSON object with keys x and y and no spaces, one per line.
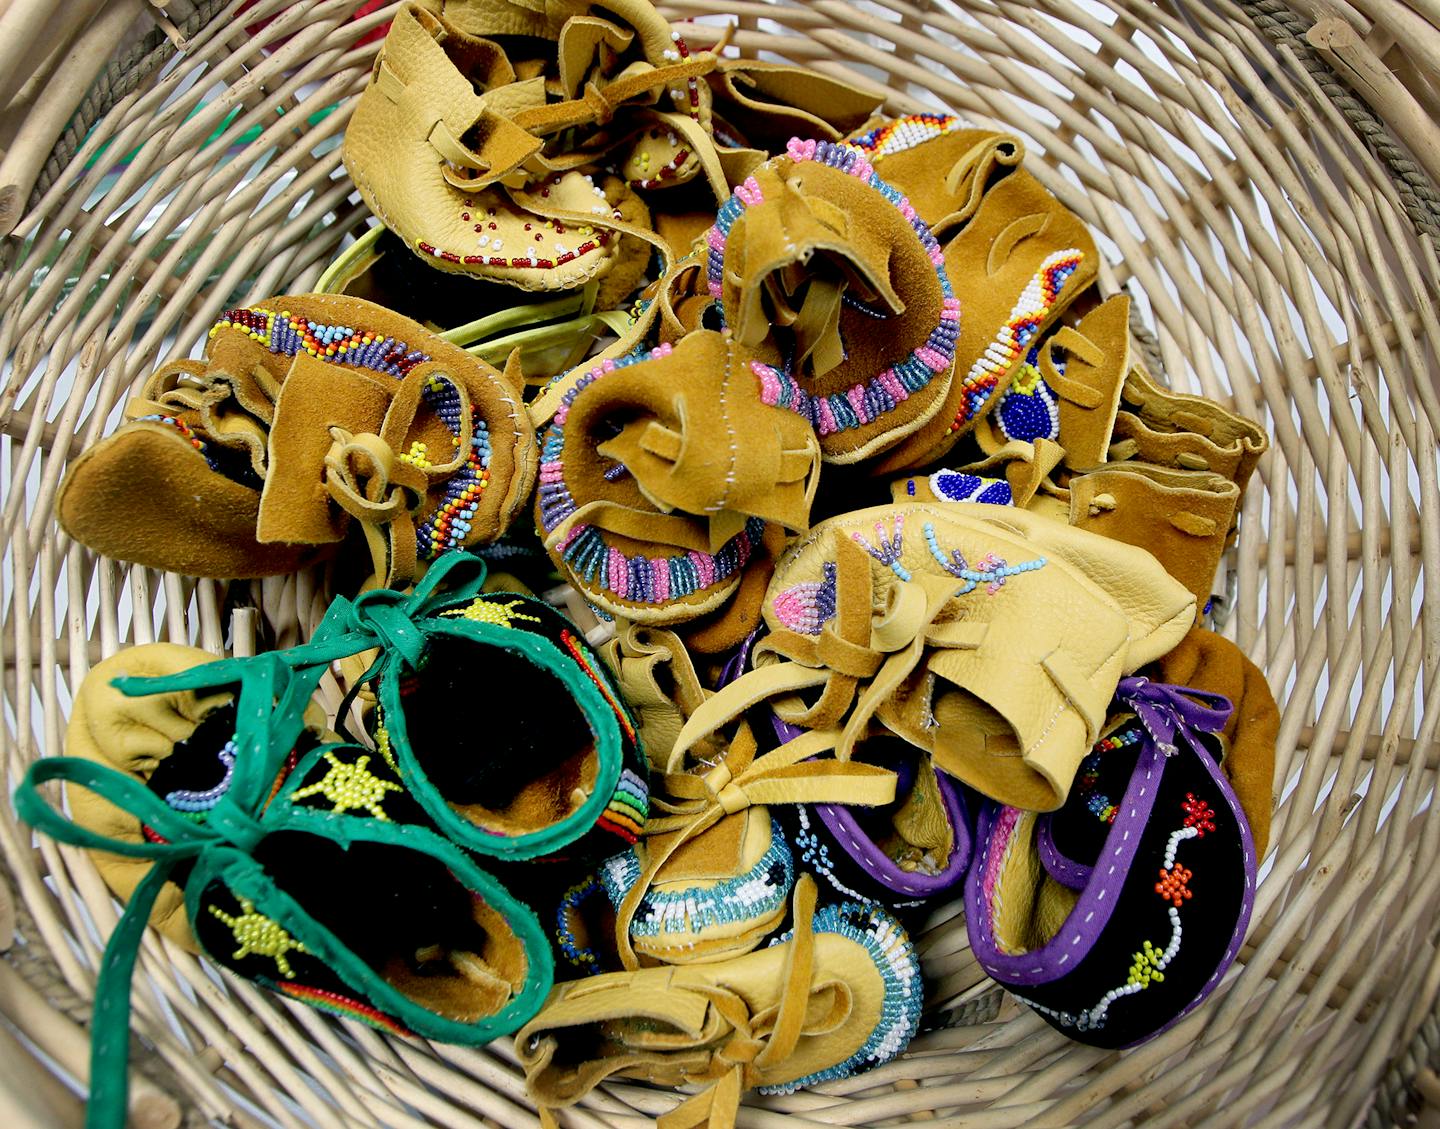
{"x":1120,"y":914}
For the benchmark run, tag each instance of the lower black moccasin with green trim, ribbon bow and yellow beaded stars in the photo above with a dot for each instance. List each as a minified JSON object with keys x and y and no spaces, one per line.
{"x":329,"y":891}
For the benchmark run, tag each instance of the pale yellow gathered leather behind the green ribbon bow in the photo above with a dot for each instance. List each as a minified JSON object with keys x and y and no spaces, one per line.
{"x":133,"y":735}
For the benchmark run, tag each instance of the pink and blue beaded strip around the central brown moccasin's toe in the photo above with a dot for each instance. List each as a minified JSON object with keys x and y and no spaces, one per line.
{"x":639,"y":580}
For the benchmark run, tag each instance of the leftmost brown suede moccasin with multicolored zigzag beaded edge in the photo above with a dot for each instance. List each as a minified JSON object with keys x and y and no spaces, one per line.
{"x":306,"y":414}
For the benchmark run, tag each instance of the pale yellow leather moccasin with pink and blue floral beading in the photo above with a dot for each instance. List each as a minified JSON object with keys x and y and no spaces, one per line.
{"x":987,"y":636}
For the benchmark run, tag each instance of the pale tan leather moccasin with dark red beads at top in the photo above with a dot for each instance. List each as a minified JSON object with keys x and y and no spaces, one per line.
{"x":451,"y":129}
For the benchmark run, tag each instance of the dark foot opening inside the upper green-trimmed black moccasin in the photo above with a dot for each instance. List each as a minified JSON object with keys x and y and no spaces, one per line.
{"x":500,"y":738}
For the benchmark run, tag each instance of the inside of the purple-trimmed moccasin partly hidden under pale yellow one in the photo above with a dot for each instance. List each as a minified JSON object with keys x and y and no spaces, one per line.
{"x":914,"y":830}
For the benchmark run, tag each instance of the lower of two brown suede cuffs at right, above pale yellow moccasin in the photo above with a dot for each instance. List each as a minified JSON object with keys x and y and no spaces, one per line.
{"x":1182,"y":518}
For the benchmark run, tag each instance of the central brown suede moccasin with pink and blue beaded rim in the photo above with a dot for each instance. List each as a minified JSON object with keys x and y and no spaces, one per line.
{"x":662,"y":473}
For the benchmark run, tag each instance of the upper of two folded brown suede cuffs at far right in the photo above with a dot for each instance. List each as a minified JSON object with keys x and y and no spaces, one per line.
{"x":1184,"y":433}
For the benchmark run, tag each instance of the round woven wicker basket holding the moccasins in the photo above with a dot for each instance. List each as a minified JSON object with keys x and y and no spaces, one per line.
{"x":1278,"y":264}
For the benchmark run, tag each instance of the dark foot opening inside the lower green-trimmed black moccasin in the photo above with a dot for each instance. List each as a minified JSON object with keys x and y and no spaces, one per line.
{"x":408,"y":918}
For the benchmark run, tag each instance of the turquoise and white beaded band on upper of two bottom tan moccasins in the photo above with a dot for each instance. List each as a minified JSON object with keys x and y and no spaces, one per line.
{"x":739,"y":901}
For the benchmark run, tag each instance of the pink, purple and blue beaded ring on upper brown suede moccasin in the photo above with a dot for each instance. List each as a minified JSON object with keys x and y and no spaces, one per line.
{"x":868,"y":402}
